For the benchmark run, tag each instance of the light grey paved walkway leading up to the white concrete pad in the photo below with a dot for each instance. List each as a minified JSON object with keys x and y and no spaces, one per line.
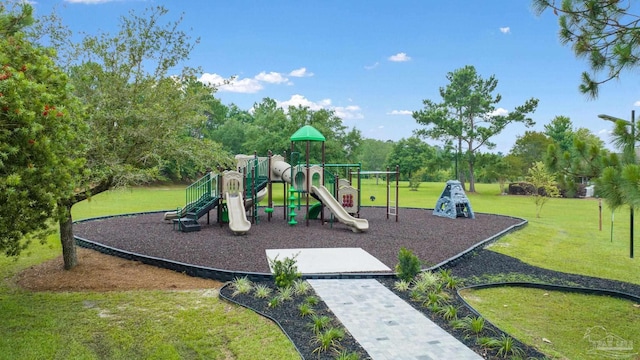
{"x":385,"y":325}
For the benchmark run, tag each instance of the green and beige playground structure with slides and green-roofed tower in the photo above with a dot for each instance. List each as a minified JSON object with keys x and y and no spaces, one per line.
{"x":234,"y":193}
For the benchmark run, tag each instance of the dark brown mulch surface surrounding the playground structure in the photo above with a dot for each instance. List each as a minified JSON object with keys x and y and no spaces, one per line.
{"x":433,"y":239}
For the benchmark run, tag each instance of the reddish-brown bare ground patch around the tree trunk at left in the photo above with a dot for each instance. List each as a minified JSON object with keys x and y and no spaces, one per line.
{"x":99,"y":272}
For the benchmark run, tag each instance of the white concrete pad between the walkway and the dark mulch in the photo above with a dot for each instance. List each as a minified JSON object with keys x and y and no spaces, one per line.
{"x":330,"y":260}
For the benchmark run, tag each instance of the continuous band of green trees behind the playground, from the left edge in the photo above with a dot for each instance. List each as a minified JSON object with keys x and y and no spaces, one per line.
{"x":79,"y":118}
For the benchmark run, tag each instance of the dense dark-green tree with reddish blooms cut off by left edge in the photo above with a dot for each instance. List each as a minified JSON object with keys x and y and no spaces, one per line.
{"x":40,"y":131}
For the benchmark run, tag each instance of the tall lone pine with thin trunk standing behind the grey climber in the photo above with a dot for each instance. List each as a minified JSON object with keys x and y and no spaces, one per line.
{"x":467,"y":114}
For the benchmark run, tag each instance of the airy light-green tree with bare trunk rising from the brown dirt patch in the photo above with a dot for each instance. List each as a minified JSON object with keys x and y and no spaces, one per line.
{"x":141,"y":116}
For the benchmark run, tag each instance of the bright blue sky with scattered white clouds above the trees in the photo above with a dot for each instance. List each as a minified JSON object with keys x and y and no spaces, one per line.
{"x":374,"y":62}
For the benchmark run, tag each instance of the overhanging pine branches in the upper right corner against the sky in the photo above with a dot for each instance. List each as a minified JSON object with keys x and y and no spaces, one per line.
{"x":604,"y":32}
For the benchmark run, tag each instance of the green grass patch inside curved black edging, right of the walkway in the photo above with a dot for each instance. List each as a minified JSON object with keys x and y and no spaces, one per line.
{"x":561,"y":318}
